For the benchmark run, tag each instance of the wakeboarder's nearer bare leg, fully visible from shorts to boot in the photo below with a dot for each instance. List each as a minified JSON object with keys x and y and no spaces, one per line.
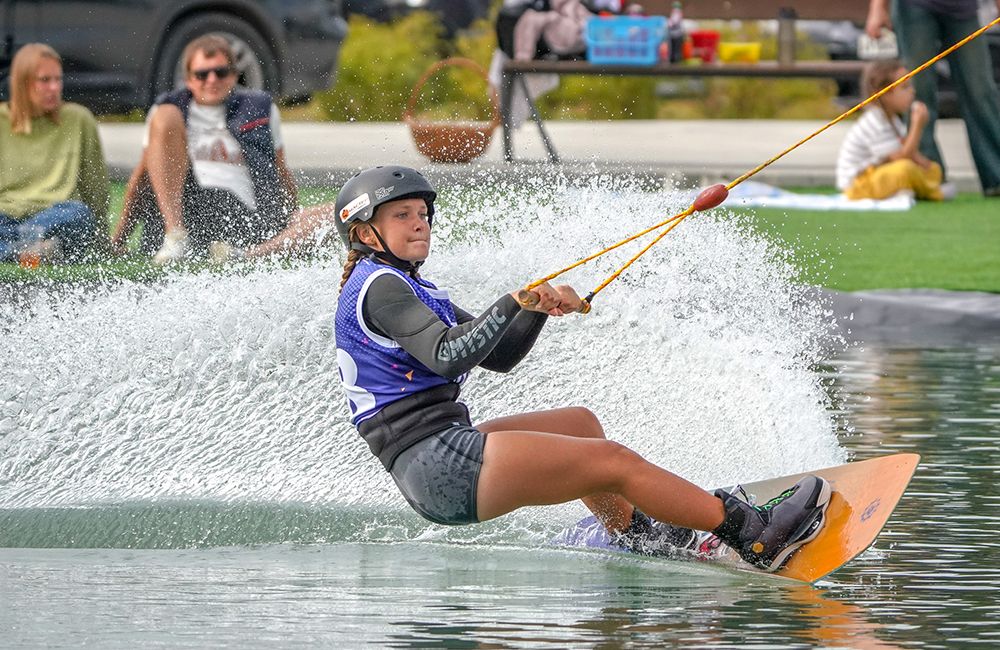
{"x":522,"y":468}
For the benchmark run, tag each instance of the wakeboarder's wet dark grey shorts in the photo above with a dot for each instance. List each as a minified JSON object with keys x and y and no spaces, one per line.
{"x":439,"y":475}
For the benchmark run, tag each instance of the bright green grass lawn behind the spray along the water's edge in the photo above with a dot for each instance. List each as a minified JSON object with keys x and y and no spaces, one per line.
{"x":954,"y":245}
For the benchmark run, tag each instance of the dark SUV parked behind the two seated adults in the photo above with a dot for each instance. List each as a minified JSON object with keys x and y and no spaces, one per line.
{"x":119,"y":55}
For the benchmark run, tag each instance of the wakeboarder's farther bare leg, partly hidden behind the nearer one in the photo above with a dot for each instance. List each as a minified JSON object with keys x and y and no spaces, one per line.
{"x":611,"y":509}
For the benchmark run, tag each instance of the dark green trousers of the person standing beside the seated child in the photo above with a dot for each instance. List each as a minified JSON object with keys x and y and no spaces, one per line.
{"x":924,"y":33}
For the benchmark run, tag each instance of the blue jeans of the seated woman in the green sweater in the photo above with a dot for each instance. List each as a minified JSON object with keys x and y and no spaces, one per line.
{"x":71,"y":221}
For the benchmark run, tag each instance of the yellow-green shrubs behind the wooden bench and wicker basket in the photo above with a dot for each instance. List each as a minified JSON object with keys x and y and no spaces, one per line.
{"x":381,"y":63}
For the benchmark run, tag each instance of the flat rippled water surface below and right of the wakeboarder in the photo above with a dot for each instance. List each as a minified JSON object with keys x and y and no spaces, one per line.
{"x":931,"y":581}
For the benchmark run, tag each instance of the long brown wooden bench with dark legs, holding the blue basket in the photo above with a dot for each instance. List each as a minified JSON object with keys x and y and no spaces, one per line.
{"x":786,"y":66}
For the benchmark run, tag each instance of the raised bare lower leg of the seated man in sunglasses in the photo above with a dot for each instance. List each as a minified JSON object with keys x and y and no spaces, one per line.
{"x":167,"y":160}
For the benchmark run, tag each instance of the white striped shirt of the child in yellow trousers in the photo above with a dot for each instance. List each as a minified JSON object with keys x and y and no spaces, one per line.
{"x":872,"y":139}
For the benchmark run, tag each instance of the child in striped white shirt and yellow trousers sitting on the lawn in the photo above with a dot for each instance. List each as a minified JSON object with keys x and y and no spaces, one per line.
{"x":879,"y":156}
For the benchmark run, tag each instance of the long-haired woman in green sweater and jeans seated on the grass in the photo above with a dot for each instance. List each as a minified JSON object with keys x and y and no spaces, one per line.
{"x":53,"y":179}
